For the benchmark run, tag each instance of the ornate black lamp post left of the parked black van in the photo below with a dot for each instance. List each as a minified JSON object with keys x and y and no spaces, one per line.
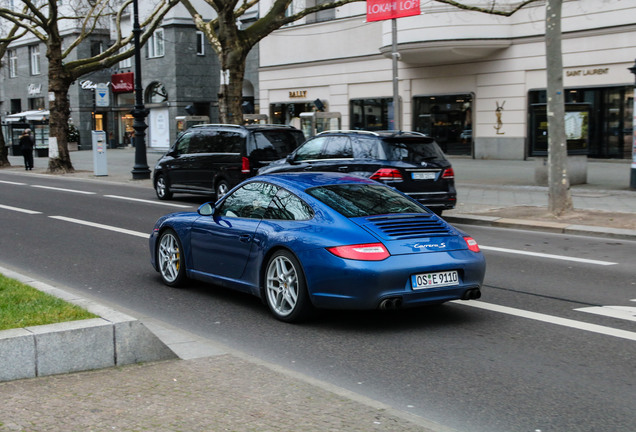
{"x":140,"y":170}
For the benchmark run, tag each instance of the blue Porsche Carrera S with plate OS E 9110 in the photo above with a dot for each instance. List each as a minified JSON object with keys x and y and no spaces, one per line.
{"x":302,"y":241}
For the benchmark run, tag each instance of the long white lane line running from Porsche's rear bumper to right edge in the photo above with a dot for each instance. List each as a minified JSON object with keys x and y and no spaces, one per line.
{"x":608,"y":331}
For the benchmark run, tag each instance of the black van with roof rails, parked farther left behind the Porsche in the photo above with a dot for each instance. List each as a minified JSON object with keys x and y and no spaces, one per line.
{"x":213,"y":158}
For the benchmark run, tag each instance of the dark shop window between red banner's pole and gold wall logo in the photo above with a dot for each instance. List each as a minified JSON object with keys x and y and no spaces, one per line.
{"x":448,"y":119}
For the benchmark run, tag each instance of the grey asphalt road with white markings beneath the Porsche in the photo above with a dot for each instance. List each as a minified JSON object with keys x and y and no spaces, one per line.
{"x":523,"y":358}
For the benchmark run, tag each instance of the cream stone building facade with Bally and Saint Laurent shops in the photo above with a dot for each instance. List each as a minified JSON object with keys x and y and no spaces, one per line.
{"x":476,"y":82}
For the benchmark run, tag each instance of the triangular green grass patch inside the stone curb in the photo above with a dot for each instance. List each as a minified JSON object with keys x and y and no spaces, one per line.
{"x":24,"y":306}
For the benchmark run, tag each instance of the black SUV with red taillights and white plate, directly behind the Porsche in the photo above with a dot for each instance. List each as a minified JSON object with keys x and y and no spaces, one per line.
{"x":408,"y":161}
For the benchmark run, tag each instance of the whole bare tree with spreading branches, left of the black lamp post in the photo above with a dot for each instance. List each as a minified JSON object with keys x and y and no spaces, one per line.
{"x":44,"y":20}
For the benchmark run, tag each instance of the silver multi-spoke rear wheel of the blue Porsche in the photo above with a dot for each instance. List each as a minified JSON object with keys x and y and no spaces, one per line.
{"x":285,"y":288}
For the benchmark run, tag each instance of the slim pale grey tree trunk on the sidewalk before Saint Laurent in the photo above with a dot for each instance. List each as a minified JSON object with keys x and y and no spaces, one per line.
{"x":559,"y":197}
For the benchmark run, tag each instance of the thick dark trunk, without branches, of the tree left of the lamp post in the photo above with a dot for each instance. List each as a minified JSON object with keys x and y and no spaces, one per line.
{"x":60,"y":108}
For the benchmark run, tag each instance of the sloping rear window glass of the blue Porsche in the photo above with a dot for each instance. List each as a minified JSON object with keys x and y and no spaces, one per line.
{"x":360,"y":200}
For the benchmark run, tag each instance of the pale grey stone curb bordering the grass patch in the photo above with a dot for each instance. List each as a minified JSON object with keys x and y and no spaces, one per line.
{"x":114,"y":339}
